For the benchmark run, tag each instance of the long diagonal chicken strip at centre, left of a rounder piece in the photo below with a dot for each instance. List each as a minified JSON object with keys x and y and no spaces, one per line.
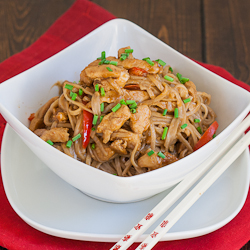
{"x":113,"y":121}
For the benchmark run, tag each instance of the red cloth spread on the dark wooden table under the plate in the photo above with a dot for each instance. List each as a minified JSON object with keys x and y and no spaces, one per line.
{"x":14,"y":232}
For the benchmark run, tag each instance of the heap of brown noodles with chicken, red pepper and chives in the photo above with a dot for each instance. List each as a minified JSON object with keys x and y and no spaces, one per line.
{"x":125,"y":116}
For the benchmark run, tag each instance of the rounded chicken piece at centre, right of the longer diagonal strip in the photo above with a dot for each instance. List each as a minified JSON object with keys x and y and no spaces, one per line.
{"x":140,"y":121}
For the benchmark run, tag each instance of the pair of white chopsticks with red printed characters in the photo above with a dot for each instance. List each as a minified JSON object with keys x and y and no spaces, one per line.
{"x":183,"y":186}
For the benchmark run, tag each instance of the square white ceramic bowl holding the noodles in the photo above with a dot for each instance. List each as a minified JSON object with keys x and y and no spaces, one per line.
{"x":25,"y":93}
